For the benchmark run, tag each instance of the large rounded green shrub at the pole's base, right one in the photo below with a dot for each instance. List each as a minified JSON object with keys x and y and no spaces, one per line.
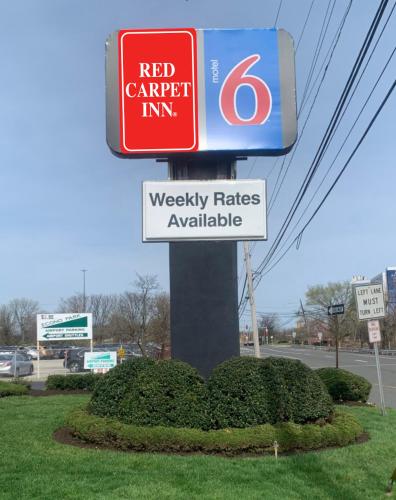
{"x":248,"y":391}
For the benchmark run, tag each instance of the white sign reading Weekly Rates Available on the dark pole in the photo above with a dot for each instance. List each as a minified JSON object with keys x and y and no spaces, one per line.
{"x":204,"y":210}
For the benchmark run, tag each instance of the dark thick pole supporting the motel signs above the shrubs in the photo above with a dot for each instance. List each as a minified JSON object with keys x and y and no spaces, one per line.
{"x":203,"y":283}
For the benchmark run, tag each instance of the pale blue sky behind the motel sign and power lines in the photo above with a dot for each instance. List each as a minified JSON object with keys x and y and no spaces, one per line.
{"x":67,"y":203}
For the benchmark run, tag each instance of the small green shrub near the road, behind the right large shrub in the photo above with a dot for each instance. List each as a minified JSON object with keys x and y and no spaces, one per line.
{"x":344,"y":385}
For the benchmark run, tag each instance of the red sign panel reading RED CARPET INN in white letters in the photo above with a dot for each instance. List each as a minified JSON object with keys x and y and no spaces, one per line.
{"x":158,"y":90}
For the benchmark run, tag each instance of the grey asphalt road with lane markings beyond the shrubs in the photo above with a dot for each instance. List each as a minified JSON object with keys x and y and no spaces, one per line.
{"x":361,"y":364}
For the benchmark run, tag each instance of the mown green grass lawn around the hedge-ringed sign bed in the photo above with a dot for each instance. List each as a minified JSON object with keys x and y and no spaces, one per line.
{"x":33,"y":465}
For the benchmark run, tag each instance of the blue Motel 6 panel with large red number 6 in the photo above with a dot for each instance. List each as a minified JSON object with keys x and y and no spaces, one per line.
{"x":242,"y":82}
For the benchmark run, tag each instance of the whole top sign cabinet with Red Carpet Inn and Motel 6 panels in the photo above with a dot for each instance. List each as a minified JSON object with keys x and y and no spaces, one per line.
{"x":172,"y":91}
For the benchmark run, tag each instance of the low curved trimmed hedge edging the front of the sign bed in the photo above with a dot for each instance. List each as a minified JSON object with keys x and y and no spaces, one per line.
{"x":342,"y":430}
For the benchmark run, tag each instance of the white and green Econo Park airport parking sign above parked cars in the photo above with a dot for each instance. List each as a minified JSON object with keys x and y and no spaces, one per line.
{"x":73,"y":326}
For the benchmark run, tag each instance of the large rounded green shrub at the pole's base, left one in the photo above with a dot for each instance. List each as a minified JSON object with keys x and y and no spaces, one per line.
{"x":145,"y":392}
